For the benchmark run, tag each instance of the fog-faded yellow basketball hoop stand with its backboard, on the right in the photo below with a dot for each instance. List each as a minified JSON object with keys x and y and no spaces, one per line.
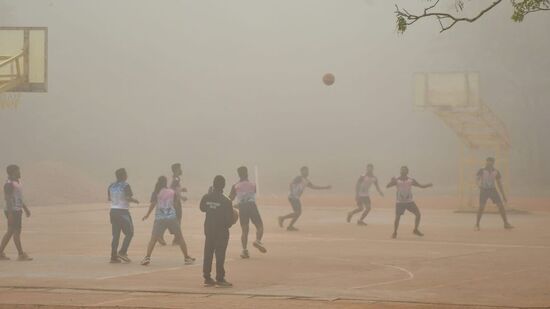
{"x":479,"y":129}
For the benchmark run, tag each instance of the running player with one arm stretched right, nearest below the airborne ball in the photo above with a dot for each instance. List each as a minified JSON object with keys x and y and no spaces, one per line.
{"x":297,"y":187}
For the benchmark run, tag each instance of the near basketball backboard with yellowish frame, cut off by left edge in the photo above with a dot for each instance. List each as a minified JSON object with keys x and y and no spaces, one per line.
{"x":23,"y":59}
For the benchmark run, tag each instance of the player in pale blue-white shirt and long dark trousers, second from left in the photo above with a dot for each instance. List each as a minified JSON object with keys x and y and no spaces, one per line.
{"x":120,"y":195}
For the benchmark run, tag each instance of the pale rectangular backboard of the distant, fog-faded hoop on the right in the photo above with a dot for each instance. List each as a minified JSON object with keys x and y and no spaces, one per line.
{"x":446,"y":90}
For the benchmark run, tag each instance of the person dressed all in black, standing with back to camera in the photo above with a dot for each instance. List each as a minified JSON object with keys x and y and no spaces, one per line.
{"x":219,"y":218}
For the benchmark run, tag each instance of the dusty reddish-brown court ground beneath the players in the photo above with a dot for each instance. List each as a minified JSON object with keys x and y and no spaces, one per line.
{"x":328,"y":263}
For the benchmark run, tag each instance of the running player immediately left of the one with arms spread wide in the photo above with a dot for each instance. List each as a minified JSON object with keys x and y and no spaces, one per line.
{"x":362,"y":195}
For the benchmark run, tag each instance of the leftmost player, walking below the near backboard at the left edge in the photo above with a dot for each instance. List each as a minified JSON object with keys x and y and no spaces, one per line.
{"x":15,"y":206}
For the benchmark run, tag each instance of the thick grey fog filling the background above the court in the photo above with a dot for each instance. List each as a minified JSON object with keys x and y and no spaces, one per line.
{"x":218,"y":84}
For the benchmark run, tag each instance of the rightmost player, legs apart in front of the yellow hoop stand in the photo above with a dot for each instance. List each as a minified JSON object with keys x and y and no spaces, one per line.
{"x":488,"y":178}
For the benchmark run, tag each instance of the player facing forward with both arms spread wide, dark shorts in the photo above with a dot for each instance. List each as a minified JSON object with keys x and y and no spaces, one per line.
{"x":404,"y":199}
